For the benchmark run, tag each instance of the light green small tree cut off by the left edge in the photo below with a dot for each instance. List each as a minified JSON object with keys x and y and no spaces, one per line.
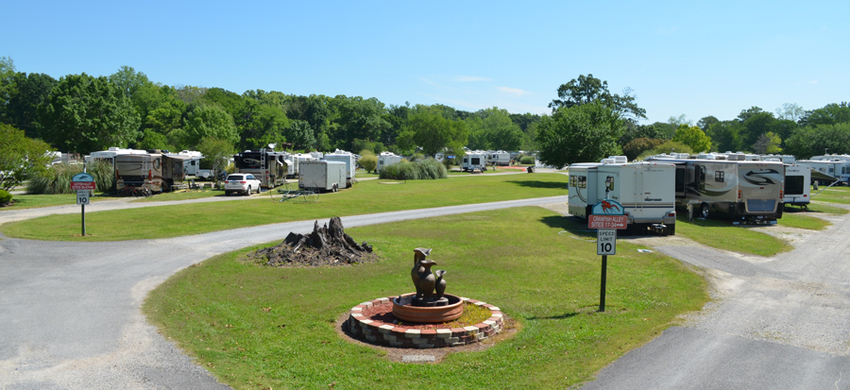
{"x":21,"y":158}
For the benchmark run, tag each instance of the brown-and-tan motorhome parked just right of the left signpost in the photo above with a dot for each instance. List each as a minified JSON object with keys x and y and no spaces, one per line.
{"x":153,"y":172}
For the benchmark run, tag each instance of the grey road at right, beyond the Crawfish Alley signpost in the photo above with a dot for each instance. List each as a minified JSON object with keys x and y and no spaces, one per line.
{"x":776,"y":323}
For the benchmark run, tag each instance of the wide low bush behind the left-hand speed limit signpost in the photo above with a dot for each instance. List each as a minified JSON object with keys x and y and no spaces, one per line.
{"x":57,"y":179}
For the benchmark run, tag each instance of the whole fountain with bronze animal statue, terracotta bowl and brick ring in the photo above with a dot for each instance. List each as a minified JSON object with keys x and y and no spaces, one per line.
{"x":421,"y":319}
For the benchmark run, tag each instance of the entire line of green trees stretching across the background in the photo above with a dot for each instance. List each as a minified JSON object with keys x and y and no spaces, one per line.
{"x":80,"y":113}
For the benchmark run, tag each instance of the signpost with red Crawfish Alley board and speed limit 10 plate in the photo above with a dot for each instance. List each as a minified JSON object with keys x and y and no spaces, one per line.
{"x":607,"y":217}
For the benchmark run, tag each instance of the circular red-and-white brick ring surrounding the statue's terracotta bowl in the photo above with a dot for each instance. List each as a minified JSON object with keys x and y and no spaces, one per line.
{"x":373,"y":322}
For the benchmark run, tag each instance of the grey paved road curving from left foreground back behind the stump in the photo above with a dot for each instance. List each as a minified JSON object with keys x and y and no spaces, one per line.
{"x":69,"y":311}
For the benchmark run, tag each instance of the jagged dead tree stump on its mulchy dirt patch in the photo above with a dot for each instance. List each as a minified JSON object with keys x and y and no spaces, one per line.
{"x":327,"y":245}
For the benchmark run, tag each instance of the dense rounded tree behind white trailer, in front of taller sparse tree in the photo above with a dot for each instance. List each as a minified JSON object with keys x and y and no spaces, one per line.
{"x":582,"y":133}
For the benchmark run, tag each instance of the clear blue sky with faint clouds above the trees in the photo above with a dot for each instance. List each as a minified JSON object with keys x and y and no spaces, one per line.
{"x":679,"y":58}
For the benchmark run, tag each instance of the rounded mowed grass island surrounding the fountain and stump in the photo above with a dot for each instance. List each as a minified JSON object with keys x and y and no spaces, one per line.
{"x":258,"y":327}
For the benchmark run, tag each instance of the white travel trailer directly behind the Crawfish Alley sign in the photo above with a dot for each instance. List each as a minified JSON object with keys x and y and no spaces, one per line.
{"x":645,"y":189}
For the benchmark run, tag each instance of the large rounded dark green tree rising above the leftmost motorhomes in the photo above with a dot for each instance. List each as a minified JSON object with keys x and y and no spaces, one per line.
{"x":84,"y":114}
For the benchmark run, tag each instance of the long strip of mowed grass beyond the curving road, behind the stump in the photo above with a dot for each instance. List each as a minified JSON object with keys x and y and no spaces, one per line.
{"x":365,"y":197}
